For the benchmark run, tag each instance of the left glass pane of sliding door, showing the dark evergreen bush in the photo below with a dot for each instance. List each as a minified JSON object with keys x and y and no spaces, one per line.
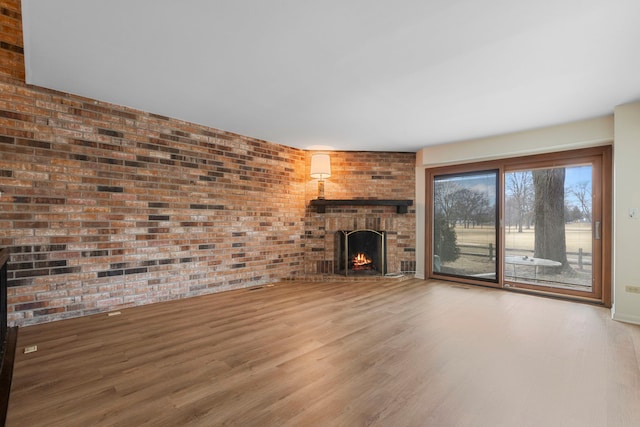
{"x":464,"y":226}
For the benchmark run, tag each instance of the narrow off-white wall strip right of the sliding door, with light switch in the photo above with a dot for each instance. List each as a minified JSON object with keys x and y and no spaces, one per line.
{"x":626,"y":231}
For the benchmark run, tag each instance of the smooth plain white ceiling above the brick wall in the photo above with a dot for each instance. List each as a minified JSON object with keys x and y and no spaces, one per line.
{"x":350,"y":74}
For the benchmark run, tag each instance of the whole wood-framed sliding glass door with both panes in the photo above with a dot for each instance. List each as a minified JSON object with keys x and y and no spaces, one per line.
{"x":540,"y":223}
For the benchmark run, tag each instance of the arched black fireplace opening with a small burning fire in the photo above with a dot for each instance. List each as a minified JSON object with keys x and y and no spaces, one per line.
{"x":360,"y":252}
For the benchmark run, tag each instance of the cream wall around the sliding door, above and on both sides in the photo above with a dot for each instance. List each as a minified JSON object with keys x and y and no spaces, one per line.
{"x":569,"y":136}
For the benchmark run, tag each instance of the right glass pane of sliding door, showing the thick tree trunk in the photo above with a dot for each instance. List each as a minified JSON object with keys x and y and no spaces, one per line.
{"x":548,"y":233}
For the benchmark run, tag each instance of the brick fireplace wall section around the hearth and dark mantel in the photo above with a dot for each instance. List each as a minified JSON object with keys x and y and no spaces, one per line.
{"x":363,"y":175}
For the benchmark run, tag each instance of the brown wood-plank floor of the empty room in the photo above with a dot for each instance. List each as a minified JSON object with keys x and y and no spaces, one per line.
{"x":387,"y":353}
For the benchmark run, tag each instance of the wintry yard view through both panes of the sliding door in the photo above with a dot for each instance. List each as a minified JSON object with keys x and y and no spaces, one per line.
{"x":547,"y":226}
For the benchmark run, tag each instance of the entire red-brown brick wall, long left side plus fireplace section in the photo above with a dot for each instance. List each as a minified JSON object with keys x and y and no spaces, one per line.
{"x":104,"y":207}
